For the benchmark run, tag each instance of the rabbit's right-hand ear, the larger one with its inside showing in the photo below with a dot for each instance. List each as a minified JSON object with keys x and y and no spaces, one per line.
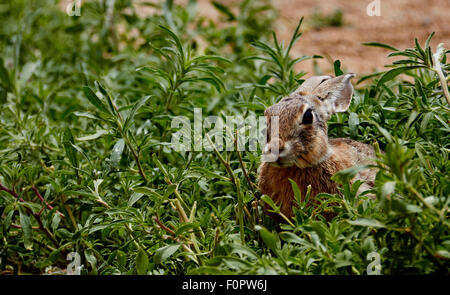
{"x":336,"y":93}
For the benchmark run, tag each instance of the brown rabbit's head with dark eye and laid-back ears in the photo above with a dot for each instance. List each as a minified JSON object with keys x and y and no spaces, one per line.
{"x":297,"y":131}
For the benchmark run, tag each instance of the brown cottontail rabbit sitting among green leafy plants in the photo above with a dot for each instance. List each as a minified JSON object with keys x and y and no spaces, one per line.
{"x":302,"y":150}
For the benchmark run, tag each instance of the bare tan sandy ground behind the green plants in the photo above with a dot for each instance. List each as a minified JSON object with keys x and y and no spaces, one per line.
{"x":399,"y":22}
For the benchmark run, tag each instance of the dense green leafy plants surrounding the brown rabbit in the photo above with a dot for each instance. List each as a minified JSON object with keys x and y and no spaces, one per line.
{"x":86,"y":164}
